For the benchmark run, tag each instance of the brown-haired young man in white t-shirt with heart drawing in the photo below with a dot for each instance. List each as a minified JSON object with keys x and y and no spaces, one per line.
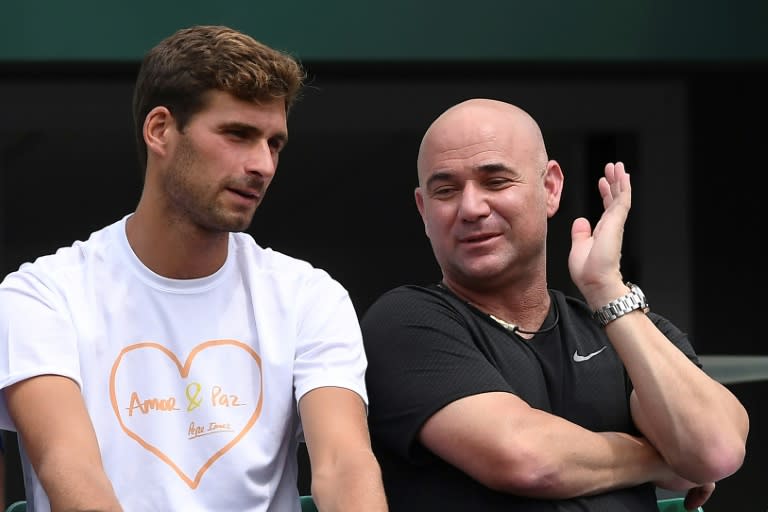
{"x":169,"y":362}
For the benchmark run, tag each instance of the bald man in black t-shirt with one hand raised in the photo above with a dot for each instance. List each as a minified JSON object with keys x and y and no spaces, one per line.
{"x":489,"y":391}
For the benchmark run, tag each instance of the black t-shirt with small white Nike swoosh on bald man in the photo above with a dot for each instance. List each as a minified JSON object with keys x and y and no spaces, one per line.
{"x":427,"y":348}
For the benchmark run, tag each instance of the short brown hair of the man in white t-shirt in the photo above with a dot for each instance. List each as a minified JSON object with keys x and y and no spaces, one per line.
{"x":182,"y":68}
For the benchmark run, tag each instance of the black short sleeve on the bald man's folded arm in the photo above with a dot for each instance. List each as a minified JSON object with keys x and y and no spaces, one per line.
{"x":421,"y":357}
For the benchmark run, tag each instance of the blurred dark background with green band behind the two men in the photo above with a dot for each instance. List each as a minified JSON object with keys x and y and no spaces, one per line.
{"x":675,"y":90}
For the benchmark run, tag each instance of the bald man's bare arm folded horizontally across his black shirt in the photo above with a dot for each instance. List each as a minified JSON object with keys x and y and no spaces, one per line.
{"x":530,"y":452}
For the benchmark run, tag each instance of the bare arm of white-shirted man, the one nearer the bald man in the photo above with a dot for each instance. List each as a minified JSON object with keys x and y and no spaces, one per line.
{"x":345,"y":473}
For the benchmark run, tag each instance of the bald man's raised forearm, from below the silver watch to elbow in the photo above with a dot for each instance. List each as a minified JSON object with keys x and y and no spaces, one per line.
{"x":674,"y":403}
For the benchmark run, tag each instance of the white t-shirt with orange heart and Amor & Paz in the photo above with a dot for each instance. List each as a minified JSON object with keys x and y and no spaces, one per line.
{"x":192,"y":385}
